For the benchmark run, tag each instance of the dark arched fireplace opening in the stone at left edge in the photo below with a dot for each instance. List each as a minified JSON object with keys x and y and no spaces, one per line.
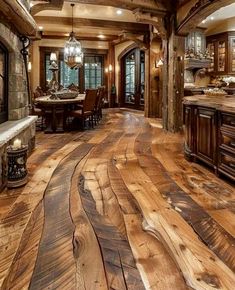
{"x":3,"y":84}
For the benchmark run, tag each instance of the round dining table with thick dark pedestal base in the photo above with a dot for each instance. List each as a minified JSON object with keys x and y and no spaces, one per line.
{"x":55,"y":110}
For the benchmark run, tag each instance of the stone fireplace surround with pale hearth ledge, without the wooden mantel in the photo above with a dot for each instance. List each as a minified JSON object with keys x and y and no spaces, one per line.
{"x":17,"y":100}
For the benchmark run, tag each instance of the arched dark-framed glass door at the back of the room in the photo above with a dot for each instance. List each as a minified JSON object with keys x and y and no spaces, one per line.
{"x":132,"y":79}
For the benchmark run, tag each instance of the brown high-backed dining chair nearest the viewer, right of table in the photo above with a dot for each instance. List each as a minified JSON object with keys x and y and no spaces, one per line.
{"x":87,"y":109}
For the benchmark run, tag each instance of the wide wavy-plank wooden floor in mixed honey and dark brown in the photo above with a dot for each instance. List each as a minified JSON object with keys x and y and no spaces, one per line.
{"x":117,"y":207}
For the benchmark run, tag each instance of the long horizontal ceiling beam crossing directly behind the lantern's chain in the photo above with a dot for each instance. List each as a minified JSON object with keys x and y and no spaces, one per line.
{"x":93,"y":23}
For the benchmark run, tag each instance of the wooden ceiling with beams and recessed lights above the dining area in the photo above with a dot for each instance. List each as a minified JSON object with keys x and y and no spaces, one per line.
{"x":54,"y":17}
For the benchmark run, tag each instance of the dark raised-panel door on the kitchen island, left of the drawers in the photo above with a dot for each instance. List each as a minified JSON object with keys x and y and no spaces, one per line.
{"x":206,"y":135}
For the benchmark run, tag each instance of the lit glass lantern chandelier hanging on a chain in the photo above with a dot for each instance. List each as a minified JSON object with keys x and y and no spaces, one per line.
{"x":73,"y":55}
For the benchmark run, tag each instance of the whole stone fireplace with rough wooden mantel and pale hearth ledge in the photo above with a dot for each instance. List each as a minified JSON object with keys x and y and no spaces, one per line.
{"x":15,"y":121}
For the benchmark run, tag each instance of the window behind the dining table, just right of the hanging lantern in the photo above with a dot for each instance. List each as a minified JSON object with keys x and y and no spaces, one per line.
{"x":93,"y":71}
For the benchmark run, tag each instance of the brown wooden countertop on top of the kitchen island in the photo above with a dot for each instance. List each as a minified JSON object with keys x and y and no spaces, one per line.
{"x":223,"y":103}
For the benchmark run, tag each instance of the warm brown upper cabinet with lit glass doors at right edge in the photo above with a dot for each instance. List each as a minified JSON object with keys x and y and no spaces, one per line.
{"x":222,"y":50}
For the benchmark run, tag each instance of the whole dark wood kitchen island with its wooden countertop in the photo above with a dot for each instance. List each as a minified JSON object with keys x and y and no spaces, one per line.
{"x":210,"y":132}
